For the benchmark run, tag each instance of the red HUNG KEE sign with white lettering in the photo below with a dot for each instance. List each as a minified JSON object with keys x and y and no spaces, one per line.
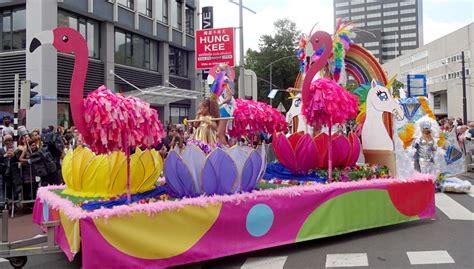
{"x":214,"y":46}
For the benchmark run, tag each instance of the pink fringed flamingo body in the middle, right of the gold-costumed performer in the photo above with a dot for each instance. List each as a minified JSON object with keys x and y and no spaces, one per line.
{"x":253,"y":117}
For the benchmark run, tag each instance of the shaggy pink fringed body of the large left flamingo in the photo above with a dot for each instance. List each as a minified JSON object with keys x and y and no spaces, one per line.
{"x":113,"y":118}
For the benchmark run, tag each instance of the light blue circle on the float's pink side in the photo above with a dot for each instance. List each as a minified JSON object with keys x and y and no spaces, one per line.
{"x":259,"y":220}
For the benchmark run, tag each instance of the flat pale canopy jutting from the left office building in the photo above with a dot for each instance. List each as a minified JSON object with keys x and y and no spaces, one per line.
{"x":162,"y":95}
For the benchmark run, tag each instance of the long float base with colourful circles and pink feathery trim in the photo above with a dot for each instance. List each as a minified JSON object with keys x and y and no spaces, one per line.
{"x":166,"y":233}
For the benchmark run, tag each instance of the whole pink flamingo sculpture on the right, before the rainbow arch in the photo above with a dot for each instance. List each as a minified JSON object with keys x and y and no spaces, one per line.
{"x":324,"y":101}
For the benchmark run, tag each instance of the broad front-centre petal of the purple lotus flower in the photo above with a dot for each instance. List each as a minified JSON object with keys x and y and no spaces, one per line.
{"x":219,"y":173}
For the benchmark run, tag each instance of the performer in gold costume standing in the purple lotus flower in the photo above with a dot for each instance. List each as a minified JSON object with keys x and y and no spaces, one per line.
{"x":205,"y":126}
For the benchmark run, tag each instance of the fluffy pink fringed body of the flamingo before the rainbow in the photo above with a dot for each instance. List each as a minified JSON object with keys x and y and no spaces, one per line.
{"x":325,"y":99}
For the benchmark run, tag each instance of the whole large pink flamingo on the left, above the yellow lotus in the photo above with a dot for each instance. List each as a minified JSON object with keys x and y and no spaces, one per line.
{"x":107,"y":121}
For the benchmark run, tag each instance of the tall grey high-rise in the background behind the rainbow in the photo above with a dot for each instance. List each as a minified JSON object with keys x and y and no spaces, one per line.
{"x":387,"y":28}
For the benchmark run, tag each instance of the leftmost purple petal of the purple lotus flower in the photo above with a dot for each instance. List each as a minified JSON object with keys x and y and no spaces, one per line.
{"x":177,"y":175}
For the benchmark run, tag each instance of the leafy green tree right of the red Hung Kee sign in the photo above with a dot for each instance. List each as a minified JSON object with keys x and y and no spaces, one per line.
{"x":283,"y":43}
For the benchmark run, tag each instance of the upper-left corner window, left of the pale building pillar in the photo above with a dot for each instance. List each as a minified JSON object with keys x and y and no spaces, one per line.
{"x":13,"y":25}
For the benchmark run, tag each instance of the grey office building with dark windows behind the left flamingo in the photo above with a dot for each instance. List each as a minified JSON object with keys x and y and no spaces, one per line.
{"x":145,"y":43}
